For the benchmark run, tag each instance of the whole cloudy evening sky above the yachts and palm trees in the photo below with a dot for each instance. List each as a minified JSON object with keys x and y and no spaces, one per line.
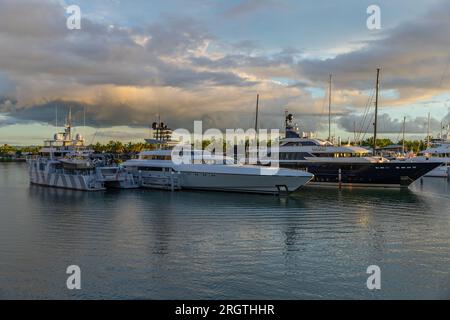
{"x":188,"y":60}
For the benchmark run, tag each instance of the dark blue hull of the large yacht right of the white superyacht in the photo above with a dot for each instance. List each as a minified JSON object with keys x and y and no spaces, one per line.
{"x":390,"y":174}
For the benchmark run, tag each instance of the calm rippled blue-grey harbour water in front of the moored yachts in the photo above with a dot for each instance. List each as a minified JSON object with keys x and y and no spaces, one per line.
{"x":138,"y":244}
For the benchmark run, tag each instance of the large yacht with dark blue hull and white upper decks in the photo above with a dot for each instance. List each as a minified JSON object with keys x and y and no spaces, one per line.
{"x":345,"y":165}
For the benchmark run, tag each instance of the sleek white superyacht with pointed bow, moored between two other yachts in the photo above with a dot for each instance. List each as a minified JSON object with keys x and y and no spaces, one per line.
{"x":156,"y":169}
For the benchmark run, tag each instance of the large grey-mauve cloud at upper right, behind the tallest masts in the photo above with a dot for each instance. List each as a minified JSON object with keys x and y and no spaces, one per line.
{"x":412,"y":56}
